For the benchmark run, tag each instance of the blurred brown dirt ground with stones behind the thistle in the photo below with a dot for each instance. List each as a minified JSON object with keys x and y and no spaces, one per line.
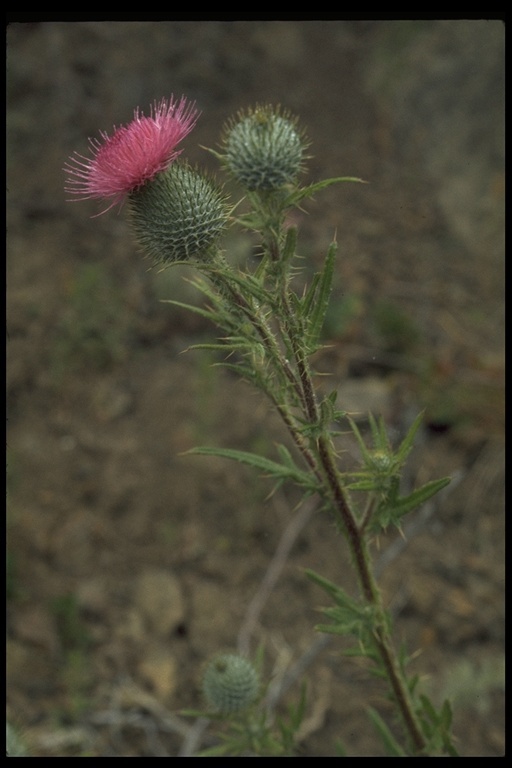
{"x":129,"y":564}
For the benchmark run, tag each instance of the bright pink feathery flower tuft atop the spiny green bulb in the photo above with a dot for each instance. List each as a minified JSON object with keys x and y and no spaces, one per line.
{"x":134,"y":153}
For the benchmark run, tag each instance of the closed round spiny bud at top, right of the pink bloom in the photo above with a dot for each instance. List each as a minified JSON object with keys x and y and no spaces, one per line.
{"x":264,"y":148}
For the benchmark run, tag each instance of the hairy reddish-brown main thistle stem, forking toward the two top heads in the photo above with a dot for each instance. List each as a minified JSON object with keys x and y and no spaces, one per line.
{"x":316,"y":445}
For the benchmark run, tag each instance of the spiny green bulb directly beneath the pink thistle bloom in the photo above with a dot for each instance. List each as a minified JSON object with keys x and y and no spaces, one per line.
{"x":178,"y":215}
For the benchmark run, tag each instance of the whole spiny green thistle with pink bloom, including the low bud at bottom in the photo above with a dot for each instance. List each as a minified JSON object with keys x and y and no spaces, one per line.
{"x":269,"y":332}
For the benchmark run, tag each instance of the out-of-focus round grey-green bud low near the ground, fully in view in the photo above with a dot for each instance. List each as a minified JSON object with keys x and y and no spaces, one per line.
{"x":230,"y":683}
